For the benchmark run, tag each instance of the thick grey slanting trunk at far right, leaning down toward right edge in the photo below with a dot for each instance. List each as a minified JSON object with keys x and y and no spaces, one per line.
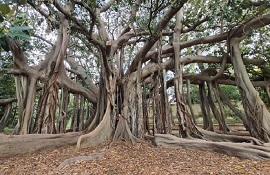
{"x":257,"y":115}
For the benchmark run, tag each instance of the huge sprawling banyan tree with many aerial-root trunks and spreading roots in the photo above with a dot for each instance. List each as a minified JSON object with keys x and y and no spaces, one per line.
{"x":107,"y":65}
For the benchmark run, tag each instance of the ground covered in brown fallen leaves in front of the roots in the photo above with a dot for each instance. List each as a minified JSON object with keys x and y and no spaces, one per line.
{"x":138,"y":159}
